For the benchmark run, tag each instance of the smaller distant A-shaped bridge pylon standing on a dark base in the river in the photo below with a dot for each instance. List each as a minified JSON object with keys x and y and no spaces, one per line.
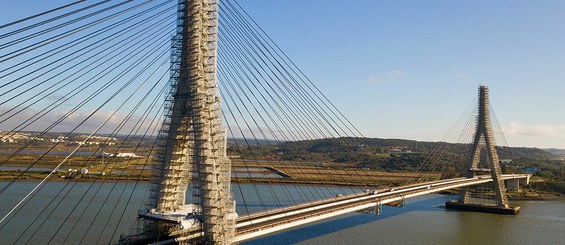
{"x":484,"y":140}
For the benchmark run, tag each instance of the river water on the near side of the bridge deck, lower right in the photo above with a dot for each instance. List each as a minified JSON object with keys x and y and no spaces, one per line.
{"x":425,"y":221}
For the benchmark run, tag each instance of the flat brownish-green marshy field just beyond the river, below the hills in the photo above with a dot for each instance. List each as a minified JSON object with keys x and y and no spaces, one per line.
{"x":139,"y":168}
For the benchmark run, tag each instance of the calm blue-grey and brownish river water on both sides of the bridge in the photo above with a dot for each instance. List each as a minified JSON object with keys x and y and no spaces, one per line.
{"x":422,"y":221}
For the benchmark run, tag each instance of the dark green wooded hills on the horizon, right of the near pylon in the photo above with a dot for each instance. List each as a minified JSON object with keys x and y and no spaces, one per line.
{"x":395,"y":154}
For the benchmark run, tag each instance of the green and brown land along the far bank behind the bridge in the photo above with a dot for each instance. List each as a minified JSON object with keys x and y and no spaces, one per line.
{"x":393,"y":160}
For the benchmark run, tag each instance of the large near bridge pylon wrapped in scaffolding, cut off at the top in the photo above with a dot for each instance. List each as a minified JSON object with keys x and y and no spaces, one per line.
{"x":193,"y":138}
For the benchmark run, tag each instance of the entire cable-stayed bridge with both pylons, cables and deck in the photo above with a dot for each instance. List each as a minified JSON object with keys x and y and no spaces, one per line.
{"x":207,"y":88}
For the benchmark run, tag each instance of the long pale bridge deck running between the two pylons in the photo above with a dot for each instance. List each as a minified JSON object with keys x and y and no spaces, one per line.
{"x":266,"y":222}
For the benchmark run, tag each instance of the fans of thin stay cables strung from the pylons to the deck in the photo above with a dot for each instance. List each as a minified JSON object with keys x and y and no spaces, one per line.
{"x":102,"y":71}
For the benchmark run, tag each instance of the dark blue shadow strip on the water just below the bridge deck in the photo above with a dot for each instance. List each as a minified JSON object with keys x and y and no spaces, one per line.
{"x":326,"y":227}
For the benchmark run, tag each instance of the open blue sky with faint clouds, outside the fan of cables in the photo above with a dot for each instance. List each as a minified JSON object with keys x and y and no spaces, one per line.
{"x":408,"y":69}
